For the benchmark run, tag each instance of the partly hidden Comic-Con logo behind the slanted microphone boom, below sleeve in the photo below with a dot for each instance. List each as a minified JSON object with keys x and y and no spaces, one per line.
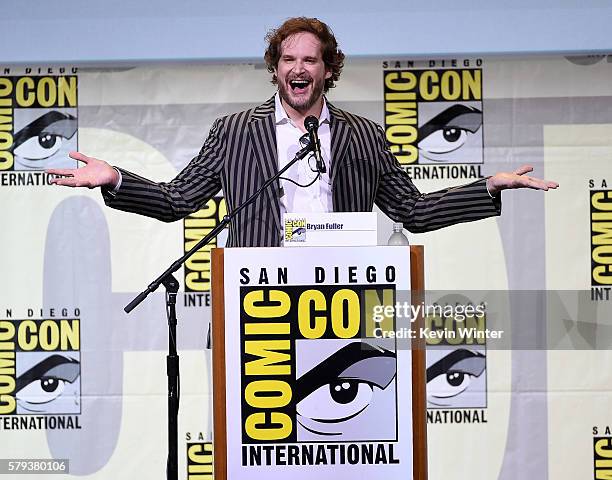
{"x":197,"y":268}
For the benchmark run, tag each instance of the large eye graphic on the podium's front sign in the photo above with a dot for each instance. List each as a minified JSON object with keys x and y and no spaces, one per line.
{"x":342,"y":387}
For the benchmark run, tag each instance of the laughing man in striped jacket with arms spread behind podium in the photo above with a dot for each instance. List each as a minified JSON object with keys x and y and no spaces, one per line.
{"x":355,"y":169}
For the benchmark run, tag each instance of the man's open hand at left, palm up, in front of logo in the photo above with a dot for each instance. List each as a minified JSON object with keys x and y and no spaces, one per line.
{"x":95,"y":173}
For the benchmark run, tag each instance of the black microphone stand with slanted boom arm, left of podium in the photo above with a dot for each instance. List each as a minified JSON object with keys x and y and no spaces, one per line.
{"x":171,"y":284}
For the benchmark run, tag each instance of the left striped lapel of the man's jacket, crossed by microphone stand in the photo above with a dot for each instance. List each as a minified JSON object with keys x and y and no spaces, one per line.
{"x":262,"y":134}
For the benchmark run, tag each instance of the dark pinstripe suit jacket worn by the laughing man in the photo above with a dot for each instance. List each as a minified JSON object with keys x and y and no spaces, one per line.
{"x":240,"y":154}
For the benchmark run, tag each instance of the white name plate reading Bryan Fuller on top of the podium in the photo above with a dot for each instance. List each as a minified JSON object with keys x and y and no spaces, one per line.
{"x":330,"y":229}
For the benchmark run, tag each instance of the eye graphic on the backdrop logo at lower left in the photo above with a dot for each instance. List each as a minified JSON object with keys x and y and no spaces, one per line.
{"x":46,"y":381}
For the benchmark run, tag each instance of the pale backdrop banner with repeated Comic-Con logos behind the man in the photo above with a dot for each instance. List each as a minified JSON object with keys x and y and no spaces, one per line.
{"x":83,"y":385}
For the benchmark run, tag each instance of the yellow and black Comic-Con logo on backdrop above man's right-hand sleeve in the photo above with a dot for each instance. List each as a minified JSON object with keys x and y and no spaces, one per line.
{"x":433,"y":117}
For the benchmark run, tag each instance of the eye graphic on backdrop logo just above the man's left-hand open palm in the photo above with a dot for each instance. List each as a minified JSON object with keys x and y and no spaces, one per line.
{"x":44,"y":137}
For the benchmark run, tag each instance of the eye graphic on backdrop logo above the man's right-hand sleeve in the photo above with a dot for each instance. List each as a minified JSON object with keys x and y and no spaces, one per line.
{"x":448,"y":131}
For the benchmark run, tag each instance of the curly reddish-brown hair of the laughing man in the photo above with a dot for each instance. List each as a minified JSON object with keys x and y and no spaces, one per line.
{"x":332,"y":55}
